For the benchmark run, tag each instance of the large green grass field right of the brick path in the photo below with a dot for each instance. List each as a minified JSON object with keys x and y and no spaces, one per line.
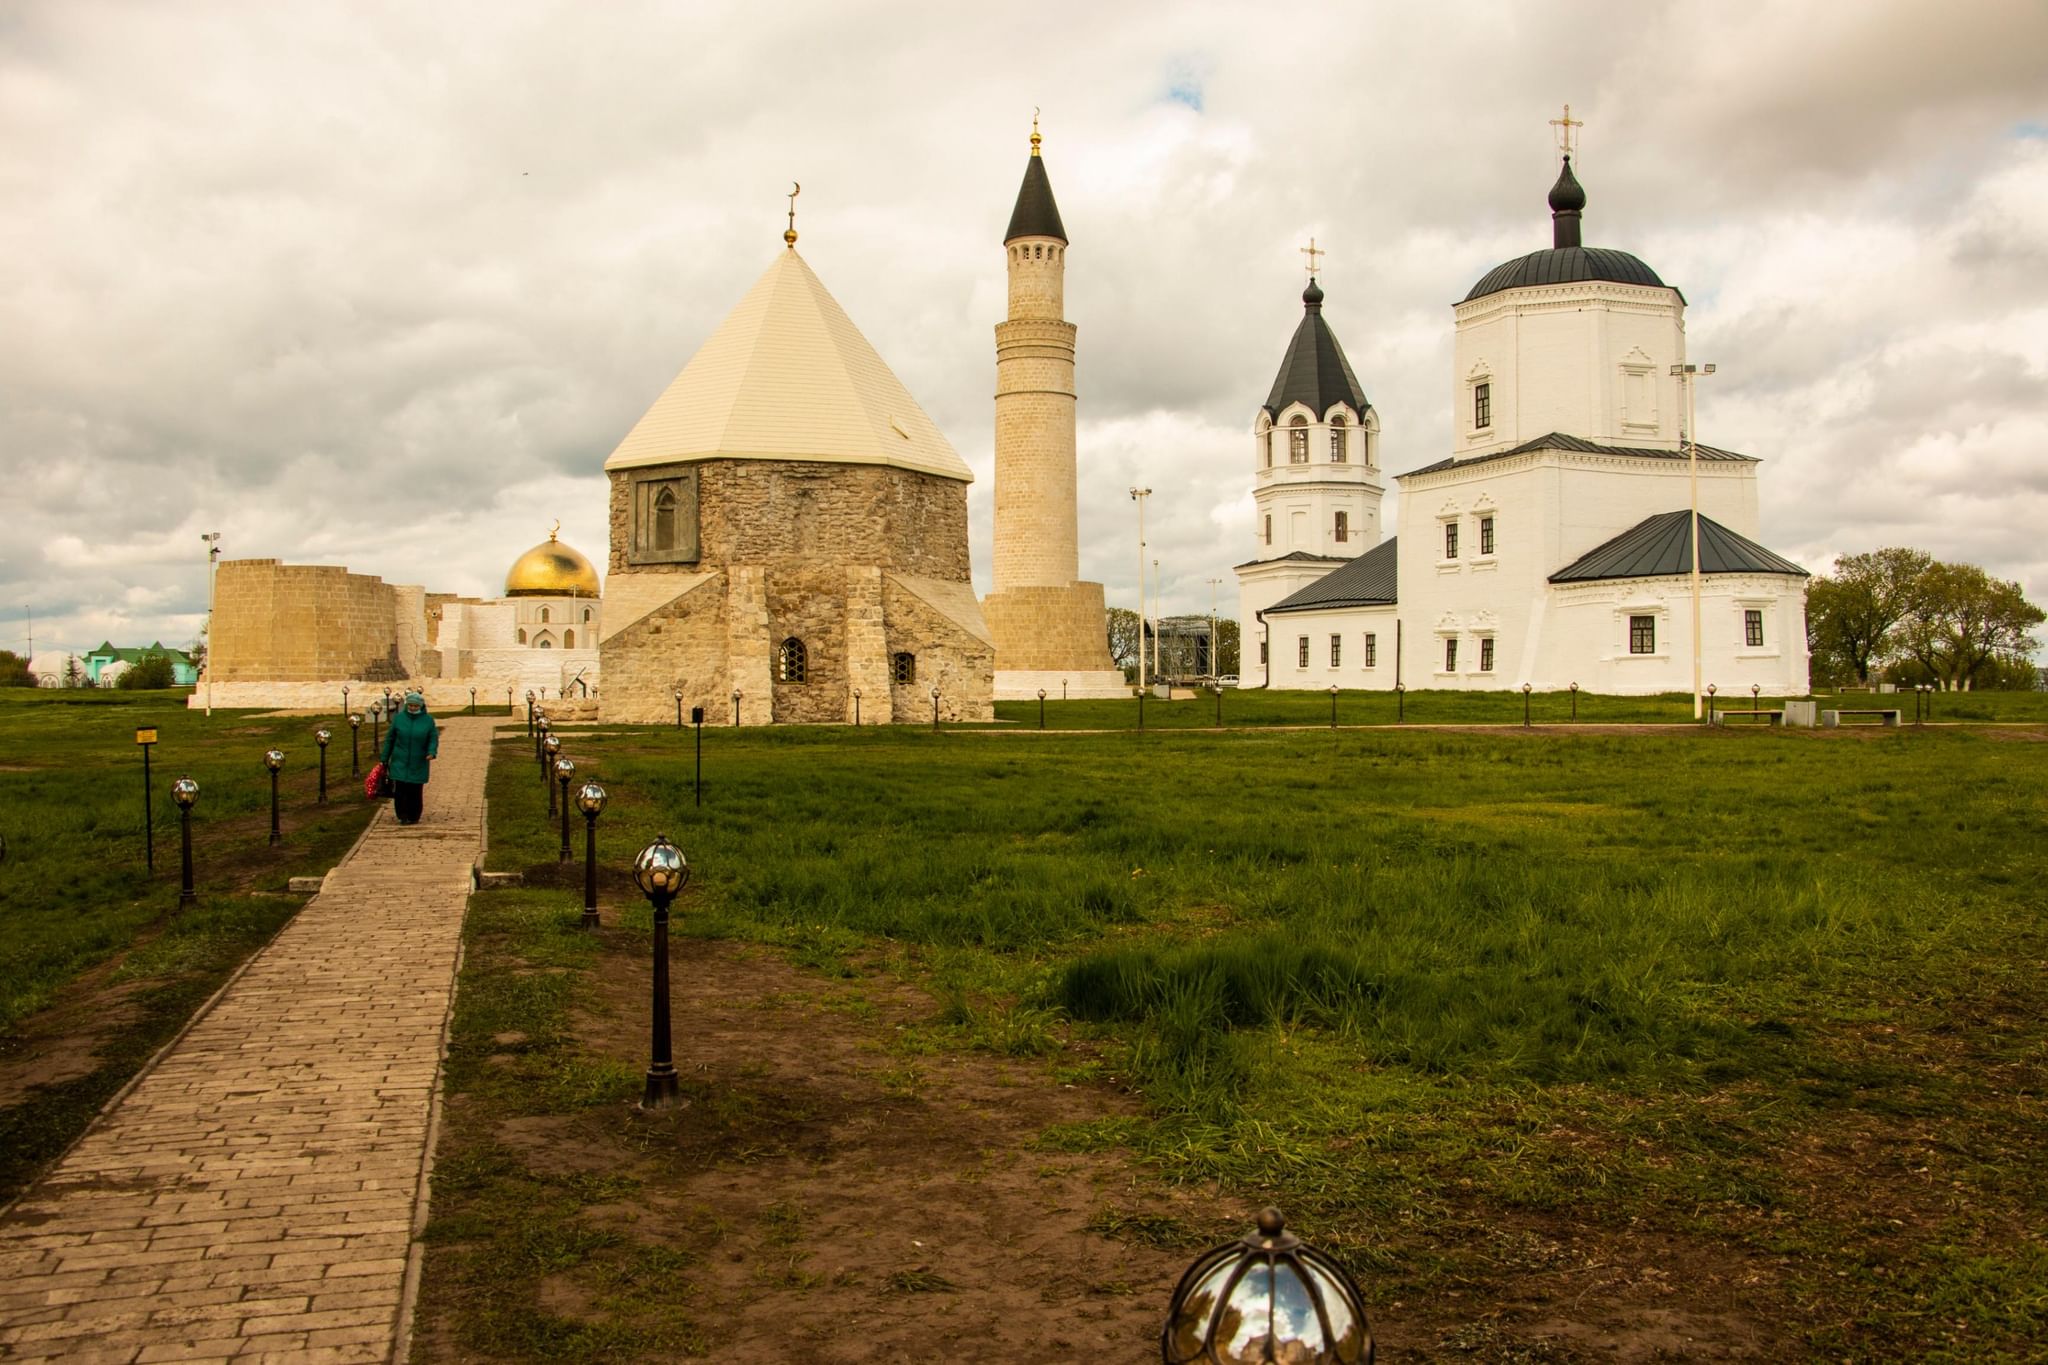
{"x":1756,"y":1018}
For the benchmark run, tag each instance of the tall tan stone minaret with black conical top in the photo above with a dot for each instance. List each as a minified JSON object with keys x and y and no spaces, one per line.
{"x":1050,"y":627}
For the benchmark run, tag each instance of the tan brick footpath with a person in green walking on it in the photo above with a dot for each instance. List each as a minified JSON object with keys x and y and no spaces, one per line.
{"x":255,"y":1194}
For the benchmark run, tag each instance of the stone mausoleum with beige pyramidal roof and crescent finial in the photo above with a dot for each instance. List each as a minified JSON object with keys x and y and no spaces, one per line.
{"x":787,"y":525}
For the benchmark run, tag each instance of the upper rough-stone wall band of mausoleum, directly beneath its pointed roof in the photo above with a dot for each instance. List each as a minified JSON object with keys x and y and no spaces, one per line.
{"x":767,"y":513}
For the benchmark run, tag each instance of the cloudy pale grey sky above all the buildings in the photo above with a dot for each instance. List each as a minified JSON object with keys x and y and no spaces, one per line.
{"x":384,"y":283}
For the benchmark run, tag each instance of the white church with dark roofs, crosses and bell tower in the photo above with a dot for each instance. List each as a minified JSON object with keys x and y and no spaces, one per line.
{"x":1553,"y":545}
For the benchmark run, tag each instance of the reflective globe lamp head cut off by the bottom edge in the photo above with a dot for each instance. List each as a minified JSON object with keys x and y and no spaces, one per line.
{"x":1267,"y":1296}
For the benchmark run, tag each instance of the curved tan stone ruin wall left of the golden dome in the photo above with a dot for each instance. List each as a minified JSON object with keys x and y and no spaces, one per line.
{"x":308,"y":623}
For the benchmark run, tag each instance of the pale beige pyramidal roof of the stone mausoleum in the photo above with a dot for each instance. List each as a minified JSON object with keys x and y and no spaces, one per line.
{"x":790,"y":378}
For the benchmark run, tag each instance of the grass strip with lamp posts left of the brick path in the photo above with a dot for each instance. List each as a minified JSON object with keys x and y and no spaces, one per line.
{"x":97,"y":963}
